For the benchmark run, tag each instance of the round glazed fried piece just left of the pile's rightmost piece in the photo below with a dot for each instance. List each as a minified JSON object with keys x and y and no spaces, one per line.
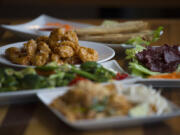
{"x":64,"y":51}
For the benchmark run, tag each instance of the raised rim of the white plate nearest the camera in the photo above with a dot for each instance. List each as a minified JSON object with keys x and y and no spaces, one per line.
{"x":118,"y":119}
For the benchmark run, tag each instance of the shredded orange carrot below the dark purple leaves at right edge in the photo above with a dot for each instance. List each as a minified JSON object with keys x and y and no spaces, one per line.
{"x":174,"y":75}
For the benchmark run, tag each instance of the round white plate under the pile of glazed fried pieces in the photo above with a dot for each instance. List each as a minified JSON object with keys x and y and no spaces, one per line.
{"x":105,"y":52}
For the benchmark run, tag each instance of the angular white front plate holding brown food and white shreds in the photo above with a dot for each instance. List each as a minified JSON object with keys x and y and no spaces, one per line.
{"x":111,"y":122}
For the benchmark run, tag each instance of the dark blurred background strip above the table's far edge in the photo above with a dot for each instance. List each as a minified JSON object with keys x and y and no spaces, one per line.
{"x":83,"y":9}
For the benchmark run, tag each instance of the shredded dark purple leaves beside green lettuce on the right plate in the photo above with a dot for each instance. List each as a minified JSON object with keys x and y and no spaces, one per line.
{"x":160,"y":59}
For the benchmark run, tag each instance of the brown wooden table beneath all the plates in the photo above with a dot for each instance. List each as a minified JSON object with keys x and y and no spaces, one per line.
{"x":35,"y":119}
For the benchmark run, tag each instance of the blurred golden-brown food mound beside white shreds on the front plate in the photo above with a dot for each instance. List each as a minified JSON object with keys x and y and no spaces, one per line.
{"x":82,"y":102}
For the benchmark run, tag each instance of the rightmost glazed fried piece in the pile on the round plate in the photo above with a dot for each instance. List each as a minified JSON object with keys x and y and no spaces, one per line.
{"x":88,"y":54}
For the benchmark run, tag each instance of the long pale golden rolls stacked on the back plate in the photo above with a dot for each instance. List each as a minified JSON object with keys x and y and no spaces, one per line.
{"x":116,"y":32}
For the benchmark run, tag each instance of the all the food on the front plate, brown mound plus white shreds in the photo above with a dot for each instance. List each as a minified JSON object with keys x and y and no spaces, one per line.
{"x":88,"y":100}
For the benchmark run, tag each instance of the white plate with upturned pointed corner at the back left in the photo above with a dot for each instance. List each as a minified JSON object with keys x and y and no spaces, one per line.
{"x":30,"y":29}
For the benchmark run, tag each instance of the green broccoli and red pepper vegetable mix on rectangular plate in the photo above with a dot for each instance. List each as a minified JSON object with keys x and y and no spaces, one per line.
{"x":53,"y":75}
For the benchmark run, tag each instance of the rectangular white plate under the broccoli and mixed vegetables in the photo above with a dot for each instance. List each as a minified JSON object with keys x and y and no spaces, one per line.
{"x":29,"y":95}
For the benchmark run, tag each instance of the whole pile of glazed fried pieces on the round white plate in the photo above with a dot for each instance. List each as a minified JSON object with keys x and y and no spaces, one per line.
{"x":60,"y":46}
